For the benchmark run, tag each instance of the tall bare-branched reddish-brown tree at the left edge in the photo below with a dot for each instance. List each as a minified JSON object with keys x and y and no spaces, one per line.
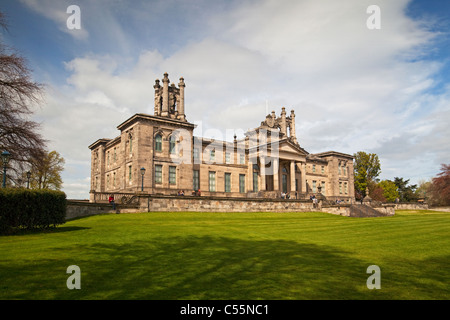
{"x":18,"y":94}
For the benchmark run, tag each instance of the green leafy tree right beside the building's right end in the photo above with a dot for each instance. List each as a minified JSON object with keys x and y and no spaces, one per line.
{"x":367,"y":167}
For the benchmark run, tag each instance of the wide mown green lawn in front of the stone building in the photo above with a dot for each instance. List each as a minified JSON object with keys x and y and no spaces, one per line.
{"x":232,"y":256}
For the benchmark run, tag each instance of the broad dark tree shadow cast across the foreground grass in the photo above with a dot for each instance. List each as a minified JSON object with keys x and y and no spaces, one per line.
{"x":194,"y":267}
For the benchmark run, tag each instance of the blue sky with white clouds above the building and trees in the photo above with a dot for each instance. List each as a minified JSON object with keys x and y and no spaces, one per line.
{"x":353,"y":88}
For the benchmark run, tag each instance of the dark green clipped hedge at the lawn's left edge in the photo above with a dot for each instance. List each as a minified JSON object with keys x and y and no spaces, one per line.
{"x":24,"y":208}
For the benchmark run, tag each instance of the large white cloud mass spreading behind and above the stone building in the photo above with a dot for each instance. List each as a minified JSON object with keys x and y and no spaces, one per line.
{"x":352,"y":88}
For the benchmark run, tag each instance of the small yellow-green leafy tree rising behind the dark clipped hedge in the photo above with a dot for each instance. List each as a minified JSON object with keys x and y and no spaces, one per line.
{"x":46,"y":171}
